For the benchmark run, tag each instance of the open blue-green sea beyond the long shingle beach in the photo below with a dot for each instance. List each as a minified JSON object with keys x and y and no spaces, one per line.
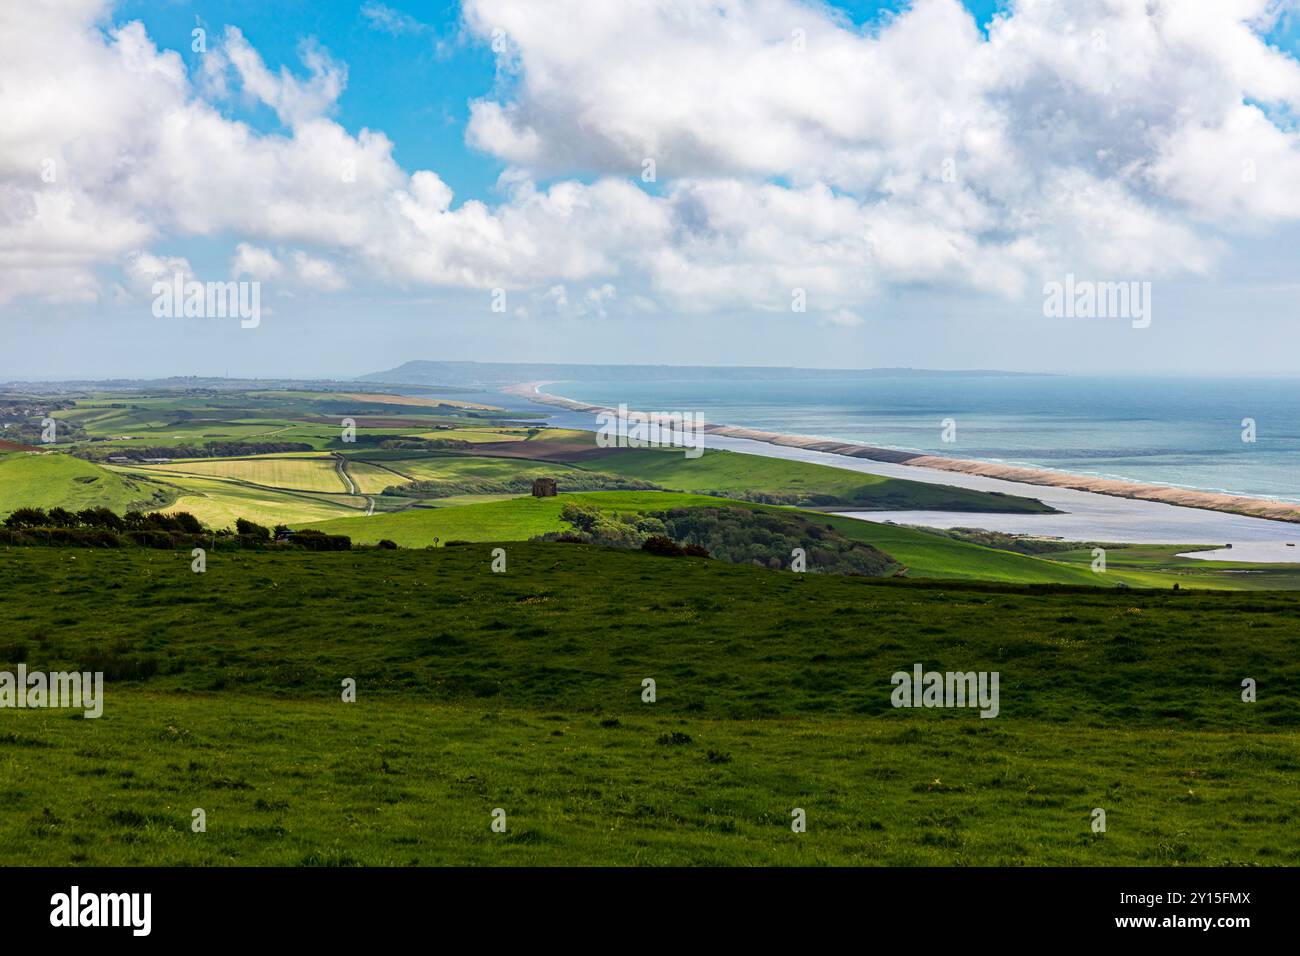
{"x":1241,"y":436}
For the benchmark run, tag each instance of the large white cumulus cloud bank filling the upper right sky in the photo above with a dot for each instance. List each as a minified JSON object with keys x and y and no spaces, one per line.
{"x":1087,"y":135}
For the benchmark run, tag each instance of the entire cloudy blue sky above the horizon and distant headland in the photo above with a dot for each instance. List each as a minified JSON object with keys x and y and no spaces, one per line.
{"x":1093,"y":140}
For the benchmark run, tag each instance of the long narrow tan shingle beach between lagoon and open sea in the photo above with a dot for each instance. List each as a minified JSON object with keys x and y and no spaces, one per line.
{"x":1181,"y":498}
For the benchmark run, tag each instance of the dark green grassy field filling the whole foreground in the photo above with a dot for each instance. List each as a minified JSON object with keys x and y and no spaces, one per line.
{"x":522,"y":691}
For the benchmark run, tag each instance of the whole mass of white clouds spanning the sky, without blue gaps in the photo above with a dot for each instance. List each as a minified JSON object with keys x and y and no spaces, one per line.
{"x":794,"y":152}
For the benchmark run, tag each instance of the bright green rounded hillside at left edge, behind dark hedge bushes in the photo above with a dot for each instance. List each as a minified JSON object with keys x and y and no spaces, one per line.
{"x":60,"y":481}
